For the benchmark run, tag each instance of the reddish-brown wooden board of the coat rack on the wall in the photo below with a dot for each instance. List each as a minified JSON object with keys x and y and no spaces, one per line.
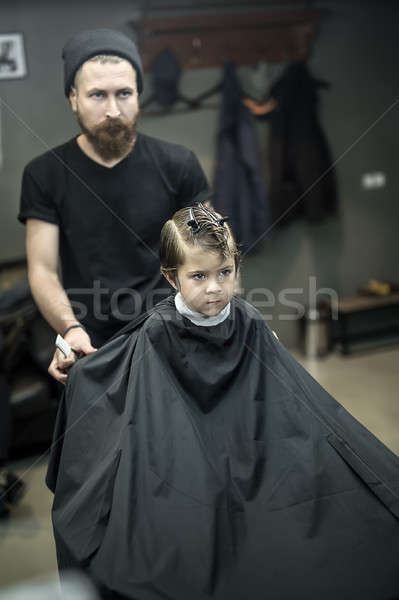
{"x":211,"y":40}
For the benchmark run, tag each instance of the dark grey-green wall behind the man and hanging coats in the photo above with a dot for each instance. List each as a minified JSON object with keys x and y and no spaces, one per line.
{"x":356,"y":51}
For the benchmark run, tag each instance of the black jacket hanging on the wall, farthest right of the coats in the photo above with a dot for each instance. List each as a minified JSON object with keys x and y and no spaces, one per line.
{"x":299,"y":155}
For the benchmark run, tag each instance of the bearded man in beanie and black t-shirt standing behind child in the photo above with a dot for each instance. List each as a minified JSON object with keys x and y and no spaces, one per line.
{"x":94,"y":206}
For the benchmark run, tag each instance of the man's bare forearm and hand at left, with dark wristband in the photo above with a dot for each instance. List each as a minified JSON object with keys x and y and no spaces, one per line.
{"x":42,"y":245}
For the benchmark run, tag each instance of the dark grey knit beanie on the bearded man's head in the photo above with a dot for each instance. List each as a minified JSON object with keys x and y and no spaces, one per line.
{"x":86,"y":44}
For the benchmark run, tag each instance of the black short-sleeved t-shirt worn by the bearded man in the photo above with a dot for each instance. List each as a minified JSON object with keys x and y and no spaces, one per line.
{"x":110,"y":221}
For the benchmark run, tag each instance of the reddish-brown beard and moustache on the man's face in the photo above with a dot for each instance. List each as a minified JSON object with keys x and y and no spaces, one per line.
{"x":113,"y":138}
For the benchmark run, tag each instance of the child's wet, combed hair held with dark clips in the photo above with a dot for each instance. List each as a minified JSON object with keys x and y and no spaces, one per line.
{"x":199,"y":226}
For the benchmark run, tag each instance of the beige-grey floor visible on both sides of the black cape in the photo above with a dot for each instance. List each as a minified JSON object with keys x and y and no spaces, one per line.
{"x":367,"y":385}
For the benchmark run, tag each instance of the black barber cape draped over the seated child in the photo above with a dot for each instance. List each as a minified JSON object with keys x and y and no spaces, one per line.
{"x":205,"y":462}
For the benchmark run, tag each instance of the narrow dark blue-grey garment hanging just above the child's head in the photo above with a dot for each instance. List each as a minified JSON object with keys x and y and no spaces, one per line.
{"x":239,"y":189}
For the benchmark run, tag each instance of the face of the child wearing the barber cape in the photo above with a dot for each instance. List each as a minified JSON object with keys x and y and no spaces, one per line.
{"x":205,"y":281}
